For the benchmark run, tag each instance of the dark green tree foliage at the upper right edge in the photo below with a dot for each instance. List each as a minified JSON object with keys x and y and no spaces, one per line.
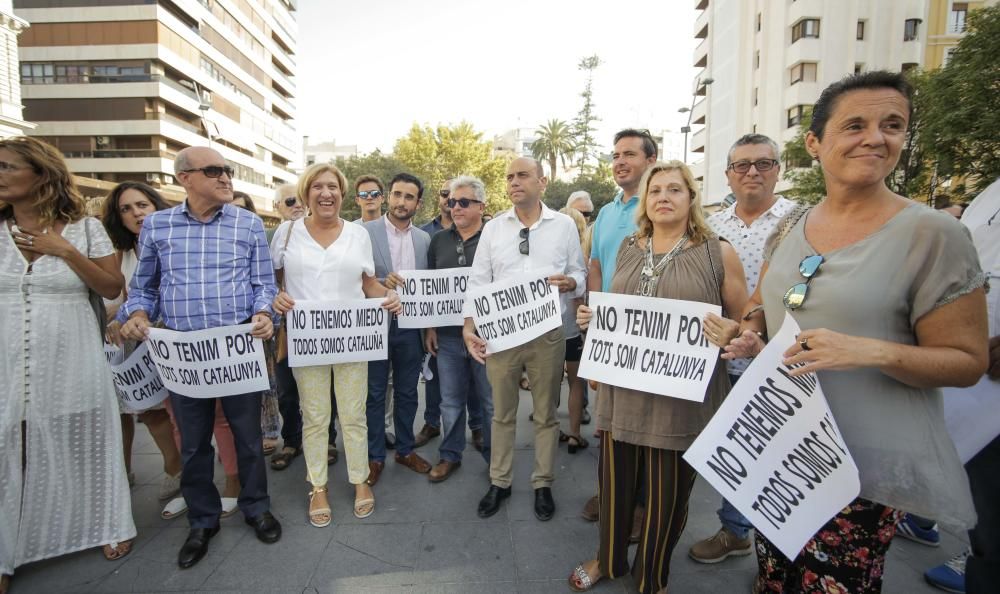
{"x":960,"y":115}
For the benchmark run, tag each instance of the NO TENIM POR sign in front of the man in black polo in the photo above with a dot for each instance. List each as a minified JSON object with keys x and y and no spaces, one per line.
{"x":432,"y":298}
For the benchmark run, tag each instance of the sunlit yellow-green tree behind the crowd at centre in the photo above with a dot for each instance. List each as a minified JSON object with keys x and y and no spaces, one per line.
{"x":438,"y":154}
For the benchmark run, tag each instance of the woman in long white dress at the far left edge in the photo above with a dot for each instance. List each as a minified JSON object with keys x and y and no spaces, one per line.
{"x":62,"y":477}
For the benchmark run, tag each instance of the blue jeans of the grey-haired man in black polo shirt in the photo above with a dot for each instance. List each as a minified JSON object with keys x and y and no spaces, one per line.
{"x":463,"y":381}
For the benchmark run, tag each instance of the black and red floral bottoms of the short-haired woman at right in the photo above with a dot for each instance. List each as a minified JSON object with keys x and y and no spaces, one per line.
{"x":846,"y":556}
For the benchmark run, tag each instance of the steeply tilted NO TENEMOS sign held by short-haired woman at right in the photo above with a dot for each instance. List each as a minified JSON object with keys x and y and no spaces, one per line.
{"x":774,"y":451}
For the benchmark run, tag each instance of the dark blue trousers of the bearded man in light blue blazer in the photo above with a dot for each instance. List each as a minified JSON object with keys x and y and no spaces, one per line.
{"x":406,"y":355}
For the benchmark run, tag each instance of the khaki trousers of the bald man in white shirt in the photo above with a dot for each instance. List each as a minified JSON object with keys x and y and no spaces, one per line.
{"x":543,"y":359}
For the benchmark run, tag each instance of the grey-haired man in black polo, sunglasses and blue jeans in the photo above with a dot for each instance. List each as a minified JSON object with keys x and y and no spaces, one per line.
{"x":463,"y":379}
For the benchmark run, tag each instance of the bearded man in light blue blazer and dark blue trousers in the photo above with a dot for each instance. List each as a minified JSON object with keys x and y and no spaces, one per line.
{"x":397,"y":245}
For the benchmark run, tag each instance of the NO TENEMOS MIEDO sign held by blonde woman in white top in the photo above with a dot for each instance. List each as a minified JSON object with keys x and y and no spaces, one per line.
{"x":327,"y":332}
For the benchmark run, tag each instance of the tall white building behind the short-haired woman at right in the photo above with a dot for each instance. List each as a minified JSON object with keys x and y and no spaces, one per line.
{"x":770,"y":59}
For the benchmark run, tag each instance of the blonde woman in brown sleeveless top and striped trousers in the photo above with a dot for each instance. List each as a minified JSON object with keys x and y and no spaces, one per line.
{"x":673,"y":255}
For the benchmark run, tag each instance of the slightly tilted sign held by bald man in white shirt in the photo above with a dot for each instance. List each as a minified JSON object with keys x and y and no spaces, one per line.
{"x":512,"y":312}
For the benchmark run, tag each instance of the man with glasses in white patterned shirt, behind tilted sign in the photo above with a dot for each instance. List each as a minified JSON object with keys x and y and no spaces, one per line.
{"x":752,"y":171}
